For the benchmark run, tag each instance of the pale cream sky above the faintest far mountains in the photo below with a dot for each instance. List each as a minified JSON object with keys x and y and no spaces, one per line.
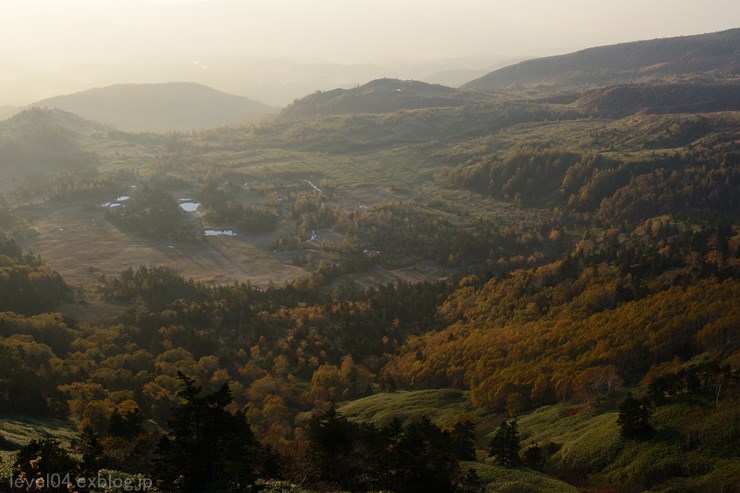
{"x":49,"y":33}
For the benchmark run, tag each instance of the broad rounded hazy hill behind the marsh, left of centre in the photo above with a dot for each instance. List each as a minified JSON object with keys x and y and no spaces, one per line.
{"x":174,"y":106}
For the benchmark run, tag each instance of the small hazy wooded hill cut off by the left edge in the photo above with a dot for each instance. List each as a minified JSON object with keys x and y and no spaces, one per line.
{"x":45,"y":140}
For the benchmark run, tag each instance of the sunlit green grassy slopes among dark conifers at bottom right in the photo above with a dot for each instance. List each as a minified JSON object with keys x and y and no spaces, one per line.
{"x":582,"y":443}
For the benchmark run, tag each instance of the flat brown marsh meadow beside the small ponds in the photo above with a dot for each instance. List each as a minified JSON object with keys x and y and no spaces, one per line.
{"x":81,"y":245}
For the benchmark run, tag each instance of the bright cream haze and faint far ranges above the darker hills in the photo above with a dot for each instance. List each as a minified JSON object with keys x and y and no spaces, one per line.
{"x":277,"y":51}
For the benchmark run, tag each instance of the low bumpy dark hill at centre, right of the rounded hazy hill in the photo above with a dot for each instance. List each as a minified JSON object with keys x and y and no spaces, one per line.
{"x":380,"y":96}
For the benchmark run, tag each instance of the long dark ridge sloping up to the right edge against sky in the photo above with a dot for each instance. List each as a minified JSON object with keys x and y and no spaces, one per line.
{"x":715,"y":54}
